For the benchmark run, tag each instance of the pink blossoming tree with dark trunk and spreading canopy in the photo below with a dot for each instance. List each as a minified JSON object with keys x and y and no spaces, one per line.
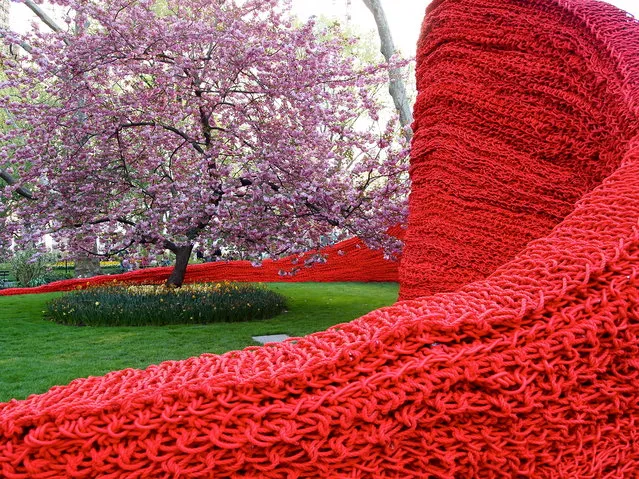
{"x":221,"y":123}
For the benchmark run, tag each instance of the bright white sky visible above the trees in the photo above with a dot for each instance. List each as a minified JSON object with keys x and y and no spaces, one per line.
{"x":404,"y":16}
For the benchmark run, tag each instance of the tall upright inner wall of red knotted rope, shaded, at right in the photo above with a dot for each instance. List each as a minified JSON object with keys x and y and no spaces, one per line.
{"x":512,"y":127}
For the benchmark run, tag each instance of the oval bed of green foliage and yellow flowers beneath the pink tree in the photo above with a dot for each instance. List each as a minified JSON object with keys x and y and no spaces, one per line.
{"x":120,"y":305}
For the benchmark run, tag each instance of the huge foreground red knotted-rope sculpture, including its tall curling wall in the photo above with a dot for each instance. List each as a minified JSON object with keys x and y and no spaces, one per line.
{"x":532,"y":372}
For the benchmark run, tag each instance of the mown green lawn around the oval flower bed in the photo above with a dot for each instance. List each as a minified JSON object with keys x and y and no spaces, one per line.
{"x":36,"y":354}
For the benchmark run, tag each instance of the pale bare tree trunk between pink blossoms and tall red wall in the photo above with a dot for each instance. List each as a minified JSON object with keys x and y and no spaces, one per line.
{"x":396,"y":85}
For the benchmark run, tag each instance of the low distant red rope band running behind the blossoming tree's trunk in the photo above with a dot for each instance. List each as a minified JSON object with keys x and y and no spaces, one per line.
{"x":347,"y":261}
